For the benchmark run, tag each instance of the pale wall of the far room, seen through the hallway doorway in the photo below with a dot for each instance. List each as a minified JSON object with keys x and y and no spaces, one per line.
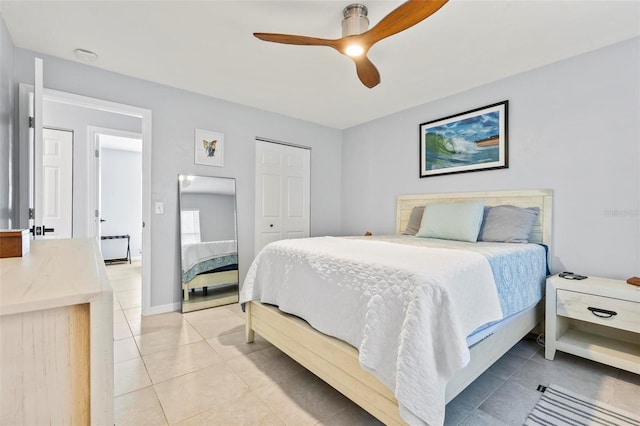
{"x":121,"y":201}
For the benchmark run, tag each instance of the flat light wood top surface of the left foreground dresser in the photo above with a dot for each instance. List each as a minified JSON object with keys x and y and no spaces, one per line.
{"x":53,"y":274}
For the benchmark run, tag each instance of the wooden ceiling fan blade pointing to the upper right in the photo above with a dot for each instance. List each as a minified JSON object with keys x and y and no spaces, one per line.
{"x":405,"y":16}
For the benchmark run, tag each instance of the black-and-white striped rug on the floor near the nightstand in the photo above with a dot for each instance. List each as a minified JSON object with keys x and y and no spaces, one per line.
{"x":559,"y":407}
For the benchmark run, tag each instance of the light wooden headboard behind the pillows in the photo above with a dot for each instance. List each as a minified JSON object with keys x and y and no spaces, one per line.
{"x":542,"y":198}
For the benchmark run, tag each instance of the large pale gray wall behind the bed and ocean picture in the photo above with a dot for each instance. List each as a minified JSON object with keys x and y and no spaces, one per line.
{"x":573,"y":127}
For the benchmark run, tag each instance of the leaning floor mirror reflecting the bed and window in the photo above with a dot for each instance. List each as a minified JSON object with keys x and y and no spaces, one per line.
{"x":209,"y":243}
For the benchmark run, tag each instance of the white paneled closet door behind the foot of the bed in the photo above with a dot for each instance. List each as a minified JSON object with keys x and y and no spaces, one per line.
{"x":282,"y":192}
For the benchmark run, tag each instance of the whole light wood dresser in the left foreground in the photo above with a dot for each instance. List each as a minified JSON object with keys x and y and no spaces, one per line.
{"x":56,"y":336}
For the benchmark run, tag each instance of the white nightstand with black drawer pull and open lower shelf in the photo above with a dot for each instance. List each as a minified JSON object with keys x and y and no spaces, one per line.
{"x":595,"y":318}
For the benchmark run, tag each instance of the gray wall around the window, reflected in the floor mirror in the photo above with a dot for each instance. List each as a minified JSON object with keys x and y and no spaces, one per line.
{"x":217,"y":215}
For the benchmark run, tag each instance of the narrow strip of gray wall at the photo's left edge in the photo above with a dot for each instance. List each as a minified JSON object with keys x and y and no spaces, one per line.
{"x":7,"y":145}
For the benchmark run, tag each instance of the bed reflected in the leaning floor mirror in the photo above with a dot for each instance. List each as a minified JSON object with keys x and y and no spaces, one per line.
{"x":208,"y":264}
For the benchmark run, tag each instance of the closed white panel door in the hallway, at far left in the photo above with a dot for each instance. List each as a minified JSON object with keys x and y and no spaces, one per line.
{"x":57,"y":186}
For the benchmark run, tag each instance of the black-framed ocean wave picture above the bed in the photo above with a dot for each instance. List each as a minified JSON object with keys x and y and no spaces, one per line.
{"x":466,"y":142}
